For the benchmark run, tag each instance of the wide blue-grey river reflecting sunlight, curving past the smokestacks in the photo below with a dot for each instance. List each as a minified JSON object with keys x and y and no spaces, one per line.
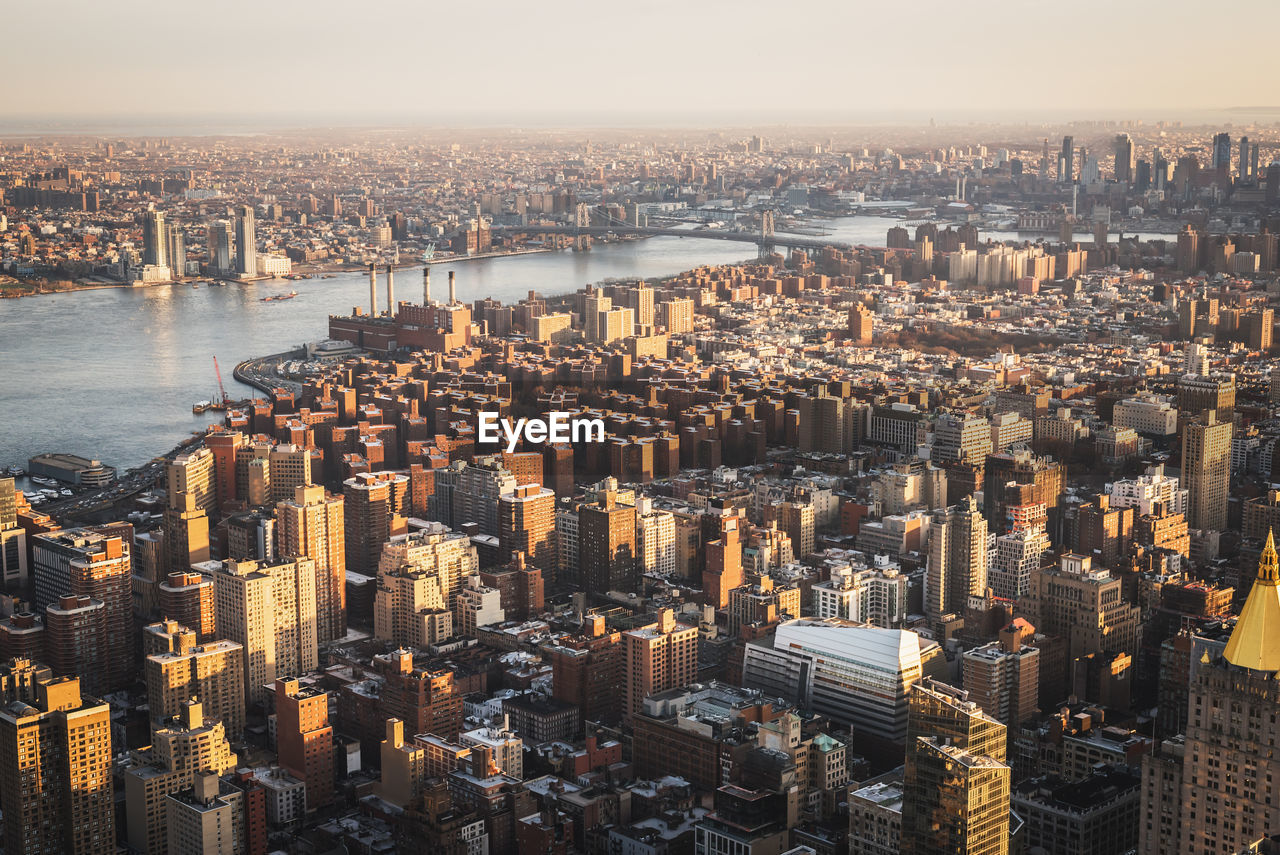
{"x":112,"y":374}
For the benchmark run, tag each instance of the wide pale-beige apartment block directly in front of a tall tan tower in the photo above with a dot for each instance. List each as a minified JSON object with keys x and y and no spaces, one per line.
{"x":269,"y":609}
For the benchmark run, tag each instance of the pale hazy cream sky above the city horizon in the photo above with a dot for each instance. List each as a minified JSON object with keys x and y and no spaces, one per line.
{"x":506,"y":61}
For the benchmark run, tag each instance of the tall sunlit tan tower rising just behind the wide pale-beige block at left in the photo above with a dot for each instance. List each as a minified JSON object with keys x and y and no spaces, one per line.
{"x":312,"y":525}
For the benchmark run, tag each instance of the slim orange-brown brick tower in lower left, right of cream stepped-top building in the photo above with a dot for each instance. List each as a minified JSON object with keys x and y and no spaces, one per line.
{"x":304,"y":738}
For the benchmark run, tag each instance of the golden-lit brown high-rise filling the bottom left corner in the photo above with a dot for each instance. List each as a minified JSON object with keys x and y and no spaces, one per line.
{"x":56,"y":766}
